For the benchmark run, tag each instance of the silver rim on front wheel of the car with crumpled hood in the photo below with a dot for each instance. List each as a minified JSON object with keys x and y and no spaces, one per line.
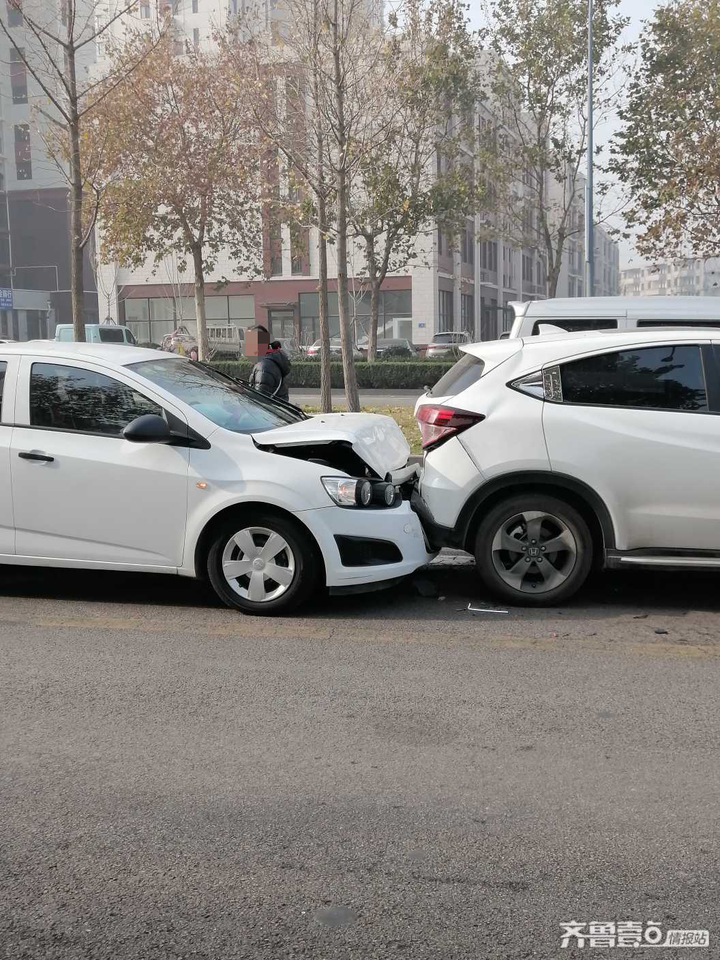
{"x":258,"y":564}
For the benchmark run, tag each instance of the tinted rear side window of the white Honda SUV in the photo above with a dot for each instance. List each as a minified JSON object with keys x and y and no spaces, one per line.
{"x":668,"y":377}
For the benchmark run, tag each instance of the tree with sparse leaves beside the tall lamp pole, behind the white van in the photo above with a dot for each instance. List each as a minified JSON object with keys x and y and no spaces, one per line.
{"x":534,"y":139}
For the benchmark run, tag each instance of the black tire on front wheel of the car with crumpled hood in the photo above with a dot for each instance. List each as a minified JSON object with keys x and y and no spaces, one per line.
{"x":304,"y":553}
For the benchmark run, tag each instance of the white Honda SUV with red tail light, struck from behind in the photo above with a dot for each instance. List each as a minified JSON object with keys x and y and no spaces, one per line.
{"x":548,"y":455}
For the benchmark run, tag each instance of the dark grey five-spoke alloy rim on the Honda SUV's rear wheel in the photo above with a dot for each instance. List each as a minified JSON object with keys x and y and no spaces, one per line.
{"x":534,"y":552}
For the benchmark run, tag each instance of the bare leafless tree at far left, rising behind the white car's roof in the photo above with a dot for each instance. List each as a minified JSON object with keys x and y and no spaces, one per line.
{"x":56,"y":52}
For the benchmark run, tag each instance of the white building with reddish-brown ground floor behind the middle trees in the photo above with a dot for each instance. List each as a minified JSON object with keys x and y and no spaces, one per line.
{"x":465,"y":285}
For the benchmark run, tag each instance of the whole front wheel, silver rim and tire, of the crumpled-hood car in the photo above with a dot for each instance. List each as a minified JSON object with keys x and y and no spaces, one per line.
{"x":266,"y":566}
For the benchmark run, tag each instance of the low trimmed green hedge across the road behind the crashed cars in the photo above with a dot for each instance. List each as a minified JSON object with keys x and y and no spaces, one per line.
{"x":388,"y":375}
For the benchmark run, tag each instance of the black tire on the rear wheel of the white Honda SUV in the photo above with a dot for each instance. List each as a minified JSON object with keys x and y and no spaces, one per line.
{"x":536,"y":590}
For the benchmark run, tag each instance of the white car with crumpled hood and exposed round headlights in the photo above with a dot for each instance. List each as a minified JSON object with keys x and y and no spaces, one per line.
{"x":127,"y":459}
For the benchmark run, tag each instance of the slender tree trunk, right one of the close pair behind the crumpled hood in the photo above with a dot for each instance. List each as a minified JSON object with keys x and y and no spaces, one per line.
{"x":351,"y":391}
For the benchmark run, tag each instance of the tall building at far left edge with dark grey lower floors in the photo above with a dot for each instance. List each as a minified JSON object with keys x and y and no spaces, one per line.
{"x":34,"y":210}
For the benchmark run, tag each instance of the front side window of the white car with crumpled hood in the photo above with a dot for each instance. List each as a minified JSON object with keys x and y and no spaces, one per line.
{"x":71,"y":398}
